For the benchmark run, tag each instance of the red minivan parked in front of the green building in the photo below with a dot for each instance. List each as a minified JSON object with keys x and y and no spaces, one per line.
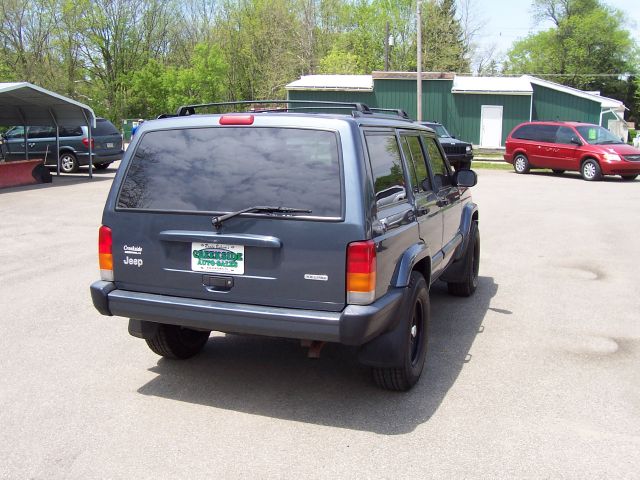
{"x":582,"y":147}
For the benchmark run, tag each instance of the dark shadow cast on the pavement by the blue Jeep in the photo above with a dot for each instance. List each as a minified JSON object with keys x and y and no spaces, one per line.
{"x":273,"y":377}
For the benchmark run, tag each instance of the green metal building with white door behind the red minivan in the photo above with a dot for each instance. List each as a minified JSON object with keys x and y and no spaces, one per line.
{"x":482,"y":110}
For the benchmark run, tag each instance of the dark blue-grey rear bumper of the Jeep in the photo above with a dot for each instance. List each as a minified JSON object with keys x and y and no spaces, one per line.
{"x":355,"y":325}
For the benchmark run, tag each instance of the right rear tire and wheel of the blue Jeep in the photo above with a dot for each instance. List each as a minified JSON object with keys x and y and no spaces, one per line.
{"x":415,"y":316}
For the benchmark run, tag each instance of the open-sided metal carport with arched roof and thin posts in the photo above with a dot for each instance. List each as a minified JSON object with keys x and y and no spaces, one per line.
{"x":28,"y":105}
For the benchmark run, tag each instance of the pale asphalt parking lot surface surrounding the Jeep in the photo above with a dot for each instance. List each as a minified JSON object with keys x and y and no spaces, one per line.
{"x":536,"y":376}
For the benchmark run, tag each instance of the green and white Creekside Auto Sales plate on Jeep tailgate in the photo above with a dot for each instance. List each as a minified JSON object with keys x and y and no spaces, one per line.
{"x":217,"y":258}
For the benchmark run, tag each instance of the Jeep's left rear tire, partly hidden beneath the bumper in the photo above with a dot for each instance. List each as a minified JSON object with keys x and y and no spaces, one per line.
{"x":173,"y":341}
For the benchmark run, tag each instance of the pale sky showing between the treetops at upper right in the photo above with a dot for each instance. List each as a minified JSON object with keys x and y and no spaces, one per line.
{"x":508,"y":20}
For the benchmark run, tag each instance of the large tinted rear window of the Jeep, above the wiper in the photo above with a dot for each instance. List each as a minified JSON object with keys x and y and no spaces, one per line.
{"x":225,"y":169}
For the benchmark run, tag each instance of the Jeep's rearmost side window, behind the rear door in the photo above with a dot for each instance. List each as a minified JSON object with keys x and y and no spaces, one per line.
{"x":386,"y":165}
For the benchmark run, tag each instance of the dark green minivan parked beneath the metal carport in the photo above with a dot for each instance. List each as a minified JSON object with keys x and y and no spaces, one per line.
{"x":74,"y":145}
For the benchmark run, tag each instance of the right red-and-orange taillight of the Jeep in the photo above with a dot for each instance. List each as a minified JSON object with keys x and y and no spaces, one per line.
{"x":361,"y":272}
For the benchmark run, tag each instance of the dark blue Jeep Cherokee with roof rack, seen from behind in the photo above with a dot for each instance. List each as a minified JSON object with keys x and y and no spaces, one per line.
{"x":314,"y":226}
